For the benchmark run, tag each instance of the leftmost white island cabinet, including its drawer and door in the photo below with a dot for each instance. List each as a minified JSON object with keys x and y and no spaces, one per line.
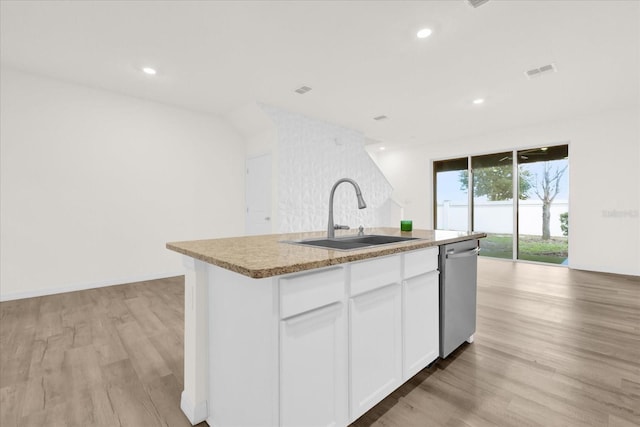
{"x":313,"y":350}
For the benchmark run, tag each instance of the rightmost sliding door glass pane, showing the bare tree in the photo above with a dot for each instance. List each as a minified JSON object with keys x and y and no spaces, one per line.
{"x":543,"y":209}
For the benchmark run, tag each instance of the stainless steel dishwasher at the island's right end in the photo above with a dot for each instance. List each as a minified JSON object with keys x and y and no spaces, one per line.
{"x":458,"y":282}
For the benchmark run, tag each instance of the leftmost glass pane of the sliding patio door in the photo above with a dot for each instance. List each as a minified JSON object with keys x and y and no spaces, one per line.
{"x":451,"y":188}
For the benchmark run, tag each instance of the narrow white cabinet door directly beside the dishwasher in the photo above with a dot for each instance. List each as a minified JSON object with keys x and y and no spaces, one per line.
{"x":420,"y":322}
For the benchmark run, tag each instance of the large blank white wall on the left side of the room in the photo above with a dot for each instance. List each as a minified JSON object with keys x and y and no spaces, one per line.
{"x":93,"y":184}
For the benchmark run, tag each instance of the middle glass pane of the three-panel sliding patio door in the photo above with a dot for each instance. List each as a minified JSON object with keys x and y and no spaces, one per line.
{"x":493,"y":203}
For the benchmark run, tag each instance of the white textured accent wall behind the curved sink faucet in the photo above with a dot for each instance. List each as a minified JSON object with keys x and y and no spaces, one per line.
{"x":312,"y":156}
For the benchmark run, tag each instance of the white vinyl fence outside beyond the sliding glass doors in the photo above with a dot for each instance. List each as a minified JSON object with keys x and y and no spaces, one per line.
{"x":497,"y":217}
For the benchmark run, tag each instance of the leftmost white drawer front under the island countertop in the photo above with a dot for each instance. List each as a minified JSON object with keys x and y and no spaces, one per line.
{"x":304,"y":292}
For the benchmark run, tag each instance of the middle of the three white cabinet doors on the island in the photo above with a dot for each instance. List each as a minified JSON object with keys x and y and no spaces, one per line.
{"x":376,"y":347}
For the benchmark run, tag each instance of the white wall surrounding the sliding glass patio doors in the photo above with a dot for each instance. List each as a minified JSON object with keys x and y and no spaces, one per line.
{"x":604,"y":154}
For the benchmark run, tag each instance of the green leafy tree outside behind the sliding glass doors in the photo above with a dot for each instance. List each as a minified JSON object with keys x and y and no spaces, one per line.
{"x":496,"y":182}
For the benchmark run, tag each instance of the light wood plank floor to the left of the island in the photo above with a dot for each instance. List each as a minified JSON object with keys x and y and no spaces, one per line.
{"x":111,"y":356}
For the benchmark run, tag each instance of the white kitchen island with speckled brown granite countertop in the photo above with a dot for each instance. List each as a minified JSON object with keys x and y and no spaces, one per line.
{"x":278,"y":334}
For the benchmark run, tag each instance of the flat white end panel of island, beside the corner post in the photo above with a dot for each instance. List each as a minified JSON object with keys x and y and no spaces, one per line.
{"x":243,"y":350}
